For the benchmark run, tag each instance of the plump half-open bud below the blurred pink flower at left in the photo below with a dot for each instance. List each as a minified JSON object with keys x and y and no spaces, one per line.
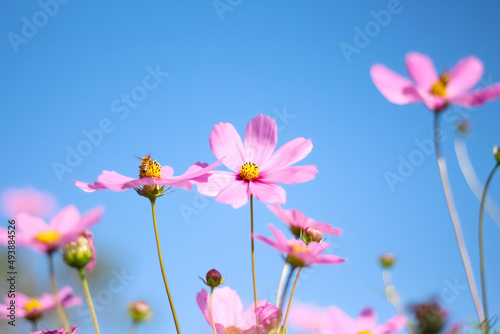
{"x":81,"y":253}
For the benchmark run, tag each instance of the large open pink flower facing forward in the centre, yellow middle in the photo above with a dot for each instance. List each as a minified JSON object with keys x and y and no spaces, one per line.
{"x":254,"y":167}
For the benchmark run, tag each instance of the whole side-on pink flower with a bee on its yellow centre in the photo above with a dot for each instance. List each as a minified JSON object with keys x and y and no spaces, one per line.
{"x":152,"y":178}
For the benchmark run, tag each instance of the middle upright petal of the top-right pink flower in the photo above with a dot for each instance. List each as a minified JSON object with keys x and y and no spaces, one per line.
{"x":421,"y":70}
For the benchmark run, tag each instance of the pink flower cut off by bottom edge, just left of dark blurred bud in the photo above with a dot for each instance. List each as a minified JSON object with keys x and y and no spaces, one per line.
{"x":366,"y":323}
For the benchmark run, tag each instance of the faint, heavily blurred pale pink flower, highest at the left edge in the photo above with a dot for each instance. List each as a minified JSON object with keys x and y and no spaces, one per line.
{"x":29,"y":200}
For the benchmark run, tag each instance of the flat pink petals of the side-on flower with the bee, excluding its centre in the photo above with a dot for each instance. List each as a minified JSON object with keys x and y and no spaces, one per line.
{"x":198,"y":172}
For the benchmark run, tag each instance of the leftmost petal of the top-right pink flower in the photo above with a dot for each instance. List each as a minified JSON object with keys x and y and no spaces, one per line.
{"x":394,"y":87}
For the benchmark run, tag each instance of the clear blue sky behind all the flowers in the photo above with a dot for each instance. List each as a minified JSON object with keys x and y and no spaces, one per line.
{"x":267,"y":57}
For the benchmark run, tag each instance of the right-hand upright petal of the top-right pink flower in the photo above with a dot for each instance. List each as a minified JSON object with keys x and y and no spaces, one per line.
{"x":465,"y":75}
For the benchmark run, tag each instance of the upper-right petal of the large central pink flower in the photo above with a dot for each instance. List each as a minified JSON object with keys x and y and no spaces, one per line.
{"x":288,"y":154}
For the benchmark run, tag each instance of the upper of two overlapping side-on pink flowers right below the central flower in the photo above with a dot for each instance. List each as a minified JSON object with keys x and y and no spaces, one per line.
{"x":298,"y":221}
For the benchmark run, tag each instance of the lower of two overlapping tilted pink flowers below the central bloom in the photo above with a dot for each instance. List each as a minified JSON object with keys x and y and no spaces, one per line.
{"x":298,"y":253}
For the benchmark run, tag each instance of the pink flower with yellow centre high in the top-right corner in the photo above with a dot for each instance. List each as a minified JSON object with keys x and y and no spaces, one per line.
{"x":435,"y":91}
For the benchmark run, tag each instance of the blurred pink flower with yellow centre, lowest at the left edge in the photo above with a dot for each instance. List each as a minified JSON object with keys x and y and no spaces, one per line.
{"x":33,"y":308}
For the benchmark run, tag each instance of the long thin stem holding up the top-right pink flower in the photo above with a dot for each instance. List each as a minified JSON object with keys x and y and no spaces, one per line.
{"x":454,"y":218}
